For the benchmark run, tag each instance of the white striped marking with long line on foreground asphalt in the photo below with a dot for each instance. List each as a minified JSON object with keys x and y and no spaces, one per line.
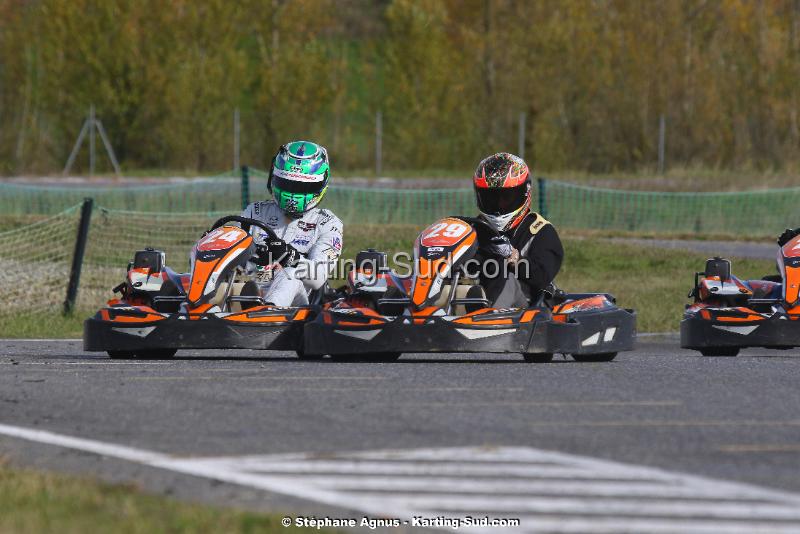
{"x":549,"y":491}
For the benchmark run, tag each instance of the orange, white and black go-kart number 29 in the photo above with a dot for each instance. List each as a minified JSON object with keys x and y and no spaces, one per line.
{"x":441,"y":308}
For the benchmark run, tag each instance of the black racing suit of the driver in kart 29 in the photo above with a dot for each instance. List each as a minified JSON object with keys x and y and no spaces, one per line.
{"x":540,"y":253}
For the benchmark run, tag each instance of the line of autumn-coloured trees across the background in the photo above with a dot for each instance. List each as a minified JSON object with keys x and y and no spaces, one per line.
{"x":450,"y":77}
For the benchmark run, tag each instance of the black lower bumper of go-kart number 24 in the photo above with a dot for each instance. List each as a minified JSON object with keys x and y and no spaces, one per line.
{"x":178,"y":332}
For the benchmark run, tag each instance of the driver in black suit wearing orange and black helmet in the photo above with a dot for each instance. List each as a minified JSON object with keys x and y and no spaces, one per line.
{"x":518,"y":238}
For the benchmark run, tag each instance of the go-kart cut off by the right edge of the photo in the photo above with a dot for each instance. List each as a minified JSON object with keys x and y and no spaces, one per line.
{"x":729,"y":314}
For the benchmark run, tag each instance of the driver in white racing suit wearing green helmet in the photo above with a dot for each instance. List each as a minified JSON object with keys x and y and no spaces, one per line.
{"x":309,"y":239}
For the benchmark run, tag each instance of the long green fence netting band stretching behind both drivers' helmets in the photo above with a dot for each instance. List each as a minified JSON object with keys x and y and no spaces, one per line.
{"x":567,"y":205}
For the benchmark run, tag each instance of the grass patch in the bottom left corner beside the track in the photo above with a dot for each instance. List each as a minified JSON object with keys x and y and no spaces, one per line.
{"x":37,"y":502}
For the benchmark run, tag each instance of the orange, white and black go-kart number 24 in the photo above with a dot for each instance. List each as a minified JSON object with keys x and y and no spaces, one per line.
{"x":216,"y":305}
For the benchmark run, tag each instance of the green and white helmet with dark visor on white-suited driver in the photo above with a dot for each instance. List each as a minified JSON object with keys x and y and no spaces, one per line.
{"x":299,"y":176}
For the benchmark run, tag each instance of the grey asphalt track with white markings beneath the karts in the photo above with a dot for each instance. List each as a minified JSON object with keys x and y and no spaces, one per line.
{"x":472,"y":434}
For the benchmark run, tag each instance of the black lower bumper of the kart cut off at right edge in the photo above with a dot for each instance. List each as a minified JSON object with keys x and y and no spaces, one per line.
{"x":777,"y":331}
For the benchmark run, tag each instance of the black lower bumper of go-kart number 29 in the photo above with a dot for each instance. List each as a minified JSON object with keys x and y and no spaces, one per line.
{"x":590,"y":332}
